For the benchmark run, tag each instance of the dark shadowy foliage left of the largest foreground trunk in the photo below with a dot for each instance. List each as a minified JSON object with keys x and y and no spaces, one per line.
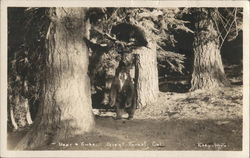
{"x":26,"y":53}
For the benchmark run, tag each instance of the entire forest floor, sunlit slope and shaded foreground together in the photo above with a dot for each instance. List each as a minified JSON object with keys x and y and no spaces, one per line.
{"x":200,"y":120}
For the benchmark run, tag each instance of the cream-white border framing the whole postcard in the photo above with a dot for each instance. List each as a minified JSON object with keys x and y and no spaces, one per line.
{"x":123,"y":3}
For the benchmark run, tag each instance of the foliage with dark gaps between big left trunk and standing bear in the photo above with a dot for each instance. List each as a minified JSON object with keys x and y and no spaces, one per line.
{"x":101,"y":70}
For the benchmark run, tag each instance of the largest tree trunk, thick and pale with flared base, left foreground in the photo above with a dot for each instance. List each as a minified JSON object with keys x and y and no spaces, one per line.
{"x":66,"y":107}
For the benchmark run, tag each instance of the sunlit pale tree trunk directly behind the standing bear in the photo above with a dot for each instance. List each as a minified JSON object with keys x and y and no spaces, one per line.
{"x":146,"y":75}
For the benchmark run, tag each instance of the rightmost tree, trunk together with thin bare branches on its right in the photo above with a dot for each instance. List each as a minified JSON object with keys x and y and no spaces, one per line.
{"x":213,"y":26}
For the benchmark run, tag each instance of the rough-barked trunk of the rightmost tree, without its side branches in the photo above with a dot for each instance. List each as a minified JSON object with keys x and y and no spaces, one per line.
{"x":208,"y":70}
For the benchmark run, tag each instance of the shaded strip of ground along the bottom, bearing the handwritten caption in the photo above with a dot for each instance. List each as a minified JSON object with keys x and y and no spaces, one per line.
{"x":138,"y":134}
